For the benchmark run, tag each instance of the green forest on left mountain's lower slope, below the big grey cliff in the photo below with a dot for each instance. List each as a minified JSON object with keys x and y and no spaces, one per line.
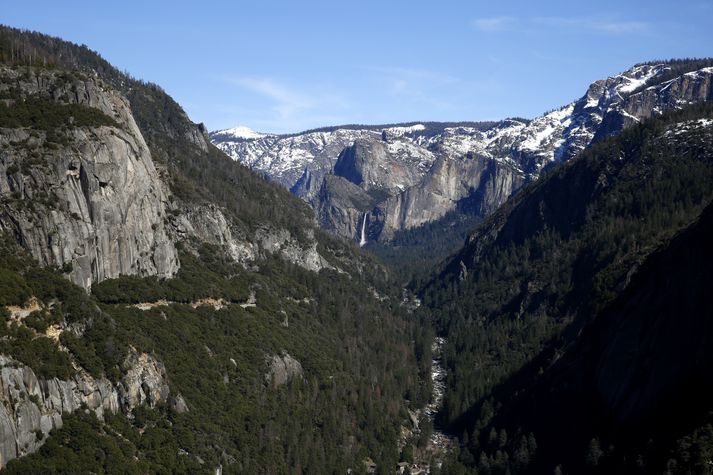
{"x":357,"y":352}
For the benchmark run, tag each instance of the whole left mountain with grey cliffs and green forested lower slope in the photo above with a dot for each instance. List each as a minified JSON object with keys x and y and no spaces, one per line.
{"x":157,"y":317}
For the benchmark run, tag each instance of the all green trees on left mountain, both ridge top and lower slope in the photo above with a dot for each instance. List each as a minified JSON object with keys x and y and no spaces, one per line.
{"x":357,"y":350}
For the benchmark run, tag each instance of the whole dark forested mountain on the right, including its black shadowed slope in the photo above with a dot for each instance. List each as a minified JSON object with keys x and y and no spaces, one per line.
{"x":576,"y":316}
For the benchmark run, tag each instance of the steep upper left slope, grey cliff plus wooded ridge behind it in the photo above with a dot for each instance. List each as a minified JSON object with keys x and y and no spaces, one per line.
{"x":132,"y":182}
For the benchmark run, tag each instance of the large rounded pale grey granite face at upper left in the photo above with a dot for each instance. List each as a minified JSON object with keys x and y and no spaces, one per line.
{"x":94,"y":200}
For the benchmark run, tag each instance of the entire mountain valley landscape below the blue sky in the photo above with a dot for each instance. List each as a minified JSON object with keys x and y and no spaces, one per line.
{"x":509,"y":296}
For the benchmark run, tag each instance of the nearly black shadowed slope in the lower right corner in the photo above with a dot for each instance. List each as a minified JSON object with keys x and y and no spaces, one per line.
{"x":635,"y":380}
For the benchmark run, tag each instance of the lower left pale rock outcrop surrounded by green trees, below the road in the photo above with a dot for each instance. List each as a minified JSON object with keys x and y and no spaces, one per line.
{"x":32,"y":407}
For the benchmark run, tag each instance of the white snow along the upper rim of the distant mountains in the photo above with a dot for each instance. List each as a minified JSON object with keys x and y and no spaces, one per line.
{"x":554,"y":136}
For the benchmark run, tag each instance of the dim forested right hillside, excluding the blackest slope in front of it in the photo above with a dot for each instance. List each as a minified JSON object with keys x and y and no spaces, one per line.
{"x":547,"y":263}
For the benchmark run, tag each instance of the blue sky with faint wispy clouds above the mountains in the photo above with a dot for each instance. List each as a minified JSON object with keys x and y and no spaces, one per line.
{"x":286,"y":66}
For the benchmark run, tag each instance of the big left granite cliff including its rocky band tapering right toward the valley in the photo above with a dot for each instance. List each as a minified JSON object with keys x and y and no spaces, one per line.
{"x":85,"y":195}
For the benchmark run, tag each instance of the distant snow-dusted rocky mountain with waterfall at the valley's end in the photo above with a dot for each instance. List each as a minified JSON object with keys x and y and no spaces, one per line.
{"x":417,"y":173}
